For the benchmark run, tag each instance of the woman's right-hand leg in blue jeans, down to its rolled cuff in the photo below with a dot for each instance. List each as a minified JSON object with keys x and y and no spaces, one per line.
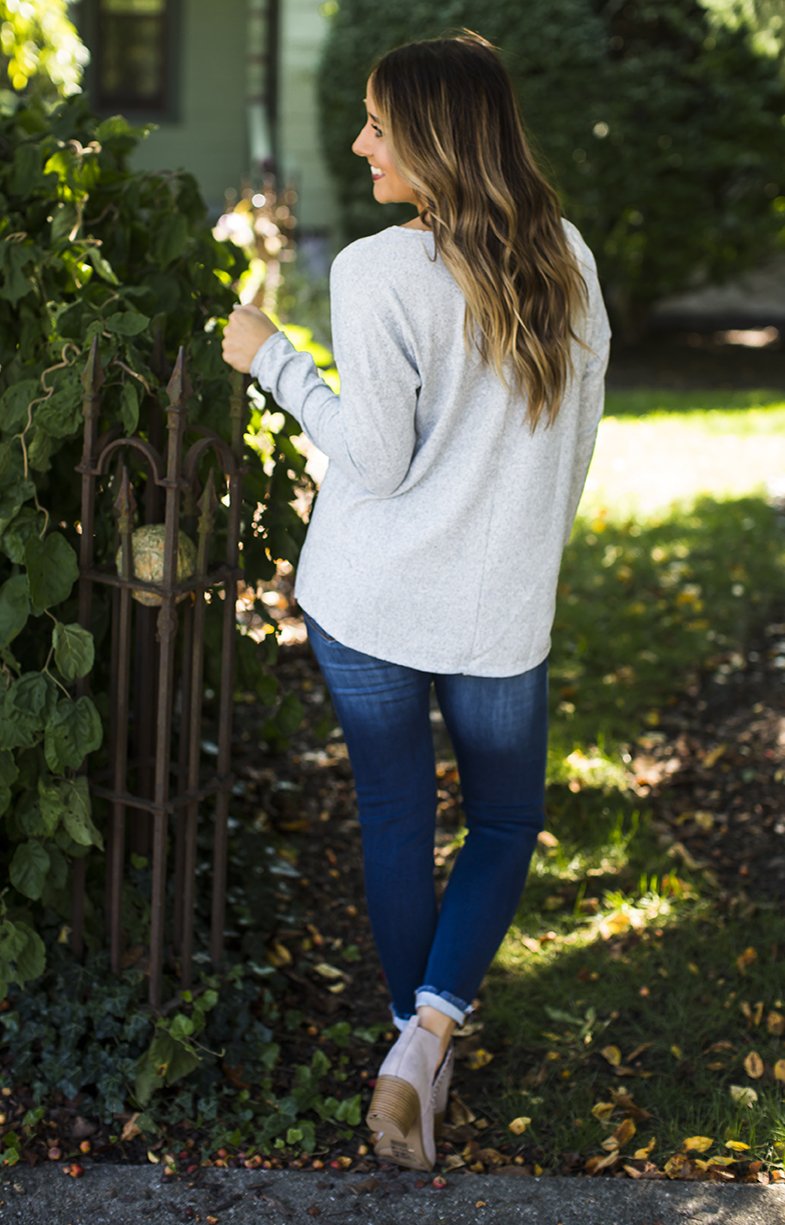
{"x":499,"y":729}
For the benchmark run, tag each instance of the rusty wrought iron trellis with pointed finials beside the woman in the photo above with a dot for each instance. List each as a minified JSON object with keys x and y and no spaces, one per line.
{"x":157,"y":663}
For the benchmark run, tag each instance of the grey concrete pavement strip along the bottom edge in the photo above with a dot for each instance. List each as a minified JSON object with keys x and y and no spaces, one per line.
{"x":122,"y":1195}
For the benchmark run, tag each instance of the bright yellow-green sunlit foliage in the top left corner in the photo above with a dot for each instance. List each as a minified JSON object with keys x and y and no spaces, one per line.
{"x":41,"y":52}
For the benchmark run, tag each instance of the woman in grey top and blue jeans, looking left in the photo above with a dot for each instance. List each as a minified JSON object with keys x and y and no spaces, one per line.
{"x":472,"y":346}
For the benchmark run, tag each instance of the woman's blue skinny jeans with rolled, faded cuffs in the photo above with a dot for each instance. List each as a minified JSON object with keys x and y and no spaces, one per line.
{"x":438,"y":955}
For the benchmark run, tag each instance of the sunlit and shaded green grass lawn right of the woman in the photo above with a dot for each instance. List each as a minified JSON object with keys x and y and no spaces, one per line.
{"x":625,"y":1005}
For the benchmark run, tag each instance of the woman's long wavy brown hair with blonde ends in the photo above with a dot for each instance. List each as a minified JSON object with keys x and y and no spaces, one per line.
{"x":455,"y":130}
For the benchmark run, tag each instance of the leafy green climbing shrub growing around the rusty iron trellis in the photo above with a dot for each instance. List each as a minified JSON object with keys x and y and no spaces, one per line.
{"x":92,"y":251}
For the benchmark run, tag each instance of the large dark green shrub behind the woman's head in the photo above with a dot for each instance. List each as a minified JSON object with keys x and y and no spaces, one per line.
{"x":662,"y":124}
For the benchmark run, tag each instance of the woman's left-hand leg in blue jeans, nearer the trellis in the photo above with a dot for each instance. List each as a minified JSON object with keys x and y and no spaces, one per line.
{"x":385,"y":714}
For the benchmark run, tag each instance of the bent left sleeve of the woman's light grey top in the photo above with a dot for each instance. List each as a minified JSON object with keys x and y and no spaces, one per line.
{"x":369,"y":431}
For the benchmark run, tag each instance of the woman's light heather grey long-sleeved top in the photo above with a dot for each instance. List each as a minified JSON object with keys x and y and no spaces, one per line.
{"x":439,"y":530}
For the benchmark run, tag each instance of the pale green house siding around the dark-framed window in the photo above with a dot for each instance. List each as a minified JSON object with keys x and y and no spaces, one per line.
{"x":216,"y":123}
